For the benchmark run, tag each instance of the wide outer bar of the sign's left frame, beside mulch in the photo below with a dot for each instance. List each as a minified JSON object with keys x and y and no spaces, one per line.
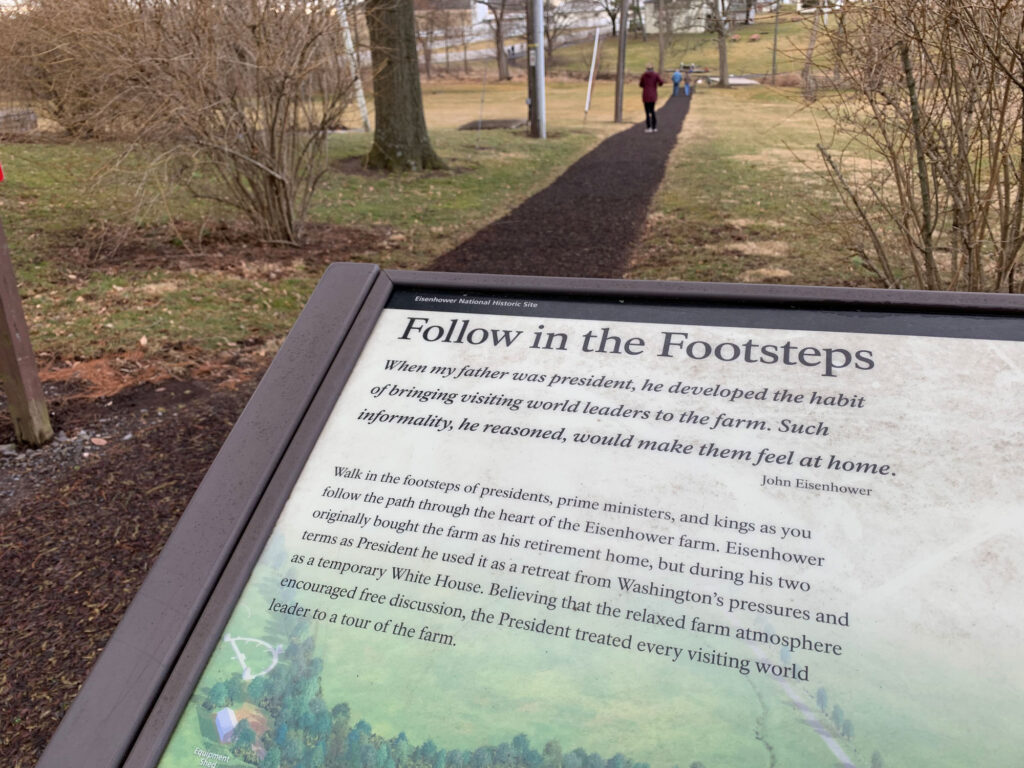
{"x":103,"y":723}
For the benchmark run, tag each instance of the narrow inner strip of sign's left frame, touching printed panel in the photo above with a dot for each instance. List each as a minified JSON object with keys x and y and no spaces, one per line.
{"x":182,"y":681}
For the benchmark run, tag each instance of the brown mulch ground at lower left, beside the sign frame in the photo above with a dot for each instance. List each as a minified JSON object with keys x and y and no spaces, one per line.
{"x":82,"y":521}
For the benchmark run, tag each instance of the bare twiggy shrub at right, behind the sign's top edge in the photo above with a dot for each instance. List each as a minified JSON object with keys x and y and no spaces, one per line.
{"x":937,"y":94}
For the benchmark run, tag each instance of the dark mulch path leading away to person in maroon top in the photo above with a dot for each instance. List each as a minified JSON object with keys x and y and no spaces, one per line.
{"x":585,"y":224}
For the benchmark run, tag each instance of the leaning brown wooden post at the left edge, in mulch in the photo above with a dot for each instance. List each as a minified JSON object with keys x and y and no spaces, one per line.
{"x":19,"y":374}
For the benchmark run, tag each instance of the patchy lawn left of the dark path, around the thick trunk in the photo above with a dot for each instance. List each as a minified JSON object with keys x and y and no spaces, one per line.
{"x":83,"y":298}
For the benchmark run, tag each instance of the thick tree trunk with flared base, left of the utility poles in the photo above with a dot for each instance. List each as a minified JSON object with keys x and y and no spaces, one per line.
{"x":401,"y":141}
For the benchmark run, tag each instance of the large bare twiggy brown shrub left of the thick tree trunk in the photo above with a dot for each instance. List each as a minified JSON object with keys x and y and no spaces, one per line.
{"x":238,"y":97}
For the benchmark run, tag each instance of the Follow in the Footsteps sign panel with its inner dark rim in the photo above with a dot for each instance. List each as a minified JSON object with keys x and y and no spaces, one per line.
{"x":584,"y":526}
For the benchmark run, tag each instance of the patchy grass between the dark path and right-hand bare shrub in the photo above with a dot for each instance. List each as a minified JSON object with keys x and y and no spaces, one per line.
{"x":744,"y":198}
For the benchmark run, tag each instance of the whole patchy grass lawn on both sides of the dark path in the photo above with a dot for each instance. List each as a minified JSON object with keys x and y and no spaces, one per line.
{"x":86,"y":244}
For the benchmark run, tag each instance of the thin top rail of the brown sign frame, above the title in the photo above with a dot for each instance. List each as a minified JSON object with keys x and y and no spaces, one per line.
{"x":803,"y":297}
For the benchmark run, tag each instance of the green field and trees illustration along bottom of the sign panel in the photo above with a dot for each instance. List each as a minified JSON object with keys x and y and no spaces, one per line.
{"x":297,"y":693}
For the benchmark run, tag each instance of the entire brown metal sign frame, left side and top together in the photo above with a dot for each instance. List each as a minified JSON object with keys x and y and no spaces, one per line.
{"x":131,"y":702}
